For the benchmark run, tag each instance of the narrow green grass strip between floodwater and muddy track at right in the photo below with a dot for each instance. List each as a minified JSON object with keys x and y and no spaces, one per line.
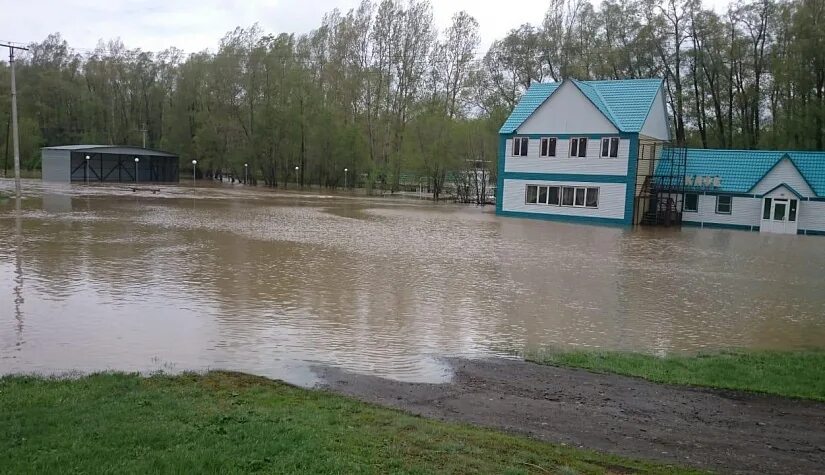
{"x":799,"y":374}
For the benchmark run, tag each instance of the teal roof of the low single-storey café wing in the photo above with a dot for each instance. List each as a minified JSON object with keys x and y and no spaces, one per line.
{"x":741,"y":170}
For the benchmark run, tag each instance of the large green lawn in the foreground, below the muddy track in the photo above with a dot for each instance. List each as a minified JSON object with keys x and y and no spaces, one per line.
{"x":235,"y":423}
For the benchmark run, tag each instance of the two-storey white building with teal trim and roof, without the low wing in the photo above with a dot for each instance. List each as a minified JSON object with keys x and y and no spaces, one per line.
{"x":570,"y":151}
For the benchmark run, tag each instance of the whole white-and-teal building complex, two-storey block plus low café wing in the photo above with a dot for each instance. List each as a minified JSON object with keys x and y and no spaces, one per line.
{"x":600,"y":152}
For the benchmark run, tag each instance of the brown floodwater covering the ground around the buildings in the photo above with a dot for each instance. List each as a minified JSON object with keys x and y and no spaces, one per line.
{"x":104,"y":278}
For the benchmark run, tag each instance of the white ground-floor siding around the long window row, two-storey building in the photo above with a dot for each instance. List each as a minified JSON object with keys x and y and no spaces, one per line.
{"x":611,"y":199}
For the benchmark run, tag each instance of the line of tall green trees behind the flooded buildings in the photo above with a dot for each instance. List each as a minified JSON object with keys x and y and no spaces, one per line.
{"x":379,"y":91}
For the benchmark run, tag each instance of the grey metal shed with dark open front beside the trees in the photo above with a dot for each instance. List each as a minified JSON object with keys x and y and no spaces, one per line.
{"x":108,"y":163}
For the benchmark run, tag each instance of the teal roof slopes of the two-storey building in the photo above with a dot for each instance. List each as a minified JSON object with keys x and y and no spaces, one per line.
{"x":626,"y":103}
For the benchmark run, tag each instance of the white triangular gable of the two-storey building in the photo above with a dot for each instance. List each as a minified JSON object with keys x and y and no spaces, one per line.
{"x":567,"y":111}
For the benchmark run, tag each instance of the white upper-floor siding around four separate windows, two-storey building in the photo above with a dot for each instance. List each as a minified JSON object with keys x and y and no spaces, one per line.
{"x":562,"y":163}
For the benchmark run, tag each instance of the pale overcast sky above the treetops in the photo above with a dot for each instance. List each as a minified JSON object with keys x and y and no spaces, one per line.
{"x":195,"y":25}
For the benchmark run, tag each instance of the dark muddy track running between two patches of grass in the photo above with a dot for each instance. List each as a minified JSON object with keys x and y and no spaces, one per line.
{"x":719,"y":430}
